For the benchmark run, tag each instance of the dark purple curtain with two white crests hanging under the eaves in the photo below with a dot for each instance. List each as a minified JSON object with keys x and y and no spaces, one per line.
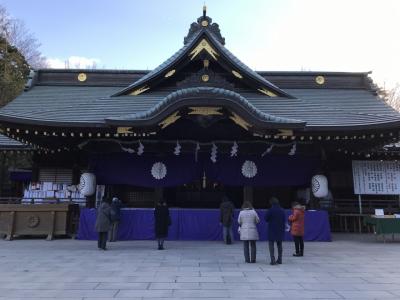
{"x":274,"y":170}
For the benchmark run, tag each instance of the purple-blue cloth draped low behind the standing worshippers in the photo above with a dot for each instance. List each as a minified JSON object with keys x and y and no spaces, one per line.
{"x":195,"y":224}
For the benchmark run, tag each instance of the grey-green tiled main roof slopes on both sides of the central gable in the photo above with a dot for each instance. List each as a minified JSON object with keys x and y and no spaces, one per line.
{"x":90,"y":106}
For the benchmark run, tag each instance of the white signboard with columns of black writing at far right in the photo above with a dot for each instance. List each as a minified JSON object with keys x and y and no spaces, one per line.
{"x":376,"y":177}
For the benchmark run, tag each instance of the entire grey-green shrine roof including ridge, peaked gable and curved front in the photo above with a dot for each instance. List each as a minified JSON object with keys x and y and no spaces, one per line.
{"x":309,"y":101}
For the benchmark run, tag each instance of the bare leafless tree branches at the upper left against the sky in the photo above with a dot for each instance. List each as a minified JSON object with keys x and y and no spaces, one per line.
{"x":17,"y":35}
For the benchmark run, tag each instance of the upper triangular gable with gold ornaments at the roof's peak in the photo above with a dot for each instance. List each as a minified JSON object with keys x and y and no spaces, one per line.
{"x":205,"y":38}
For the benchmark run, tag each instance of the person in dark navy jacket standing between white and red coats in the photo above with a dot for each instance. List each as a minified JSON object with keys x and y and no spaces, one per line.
{"x":276,"y":219}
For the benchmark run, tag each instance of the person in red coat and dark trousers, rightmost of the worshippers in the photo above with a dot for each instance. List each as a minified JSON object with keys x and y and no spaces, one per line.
{"x":297,"y":228}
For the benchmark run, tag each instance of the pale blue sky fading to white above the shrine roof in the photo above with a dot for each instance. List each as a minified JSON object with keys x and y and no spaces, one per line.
{"x":340,"y":35}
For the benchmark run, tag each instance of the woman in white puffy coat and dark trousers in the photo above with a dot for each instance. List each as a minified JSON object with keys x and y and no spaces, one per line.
{"x":248,"y":220}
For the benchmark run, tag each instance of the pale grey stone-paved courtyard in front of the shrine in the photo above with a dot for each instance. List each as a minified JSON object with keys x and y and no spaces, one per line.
{"x":351,"y":267}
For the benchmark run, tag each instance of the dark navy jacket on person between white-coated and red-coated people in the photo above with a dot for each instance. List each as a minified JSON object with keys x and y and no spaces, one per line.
{"x":276,"y":219}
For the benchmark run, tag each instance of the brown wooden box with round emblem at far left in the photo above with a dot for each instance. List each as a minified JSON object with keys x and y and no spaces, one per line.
{"x":38,"y":219}
